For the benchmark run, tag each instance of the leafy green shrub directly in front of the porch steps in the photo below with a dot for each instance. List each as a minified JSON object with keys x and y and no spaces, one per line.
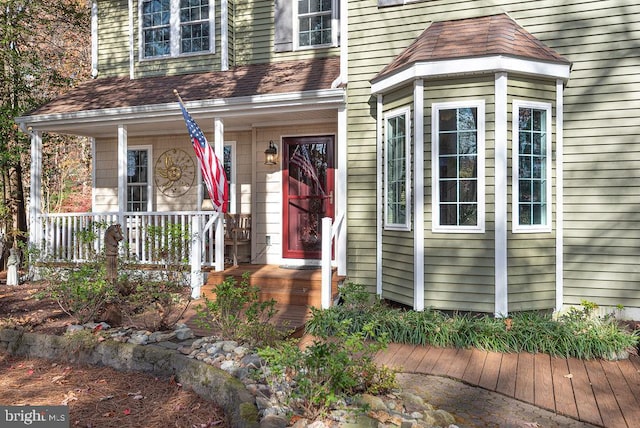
{"x":238,"y":314}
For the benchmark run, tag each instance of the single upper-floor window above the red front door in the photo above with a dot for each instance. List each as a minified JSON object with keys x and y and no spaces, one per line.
{"x":315,"y":19}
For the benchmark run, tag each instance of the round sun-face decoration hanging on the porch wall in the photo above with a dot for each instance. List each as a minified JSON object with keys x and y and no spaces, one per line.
{"x":175,"y":172}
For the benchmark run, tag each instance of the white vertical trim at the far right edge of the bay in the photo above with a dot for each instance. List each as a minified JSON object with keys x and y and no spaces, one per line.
{"x":559,"y":194}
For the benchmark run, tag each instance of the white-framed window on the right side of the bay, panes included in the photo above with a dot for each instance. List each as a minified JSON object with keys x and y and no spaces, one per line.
{"x":531,"y":167}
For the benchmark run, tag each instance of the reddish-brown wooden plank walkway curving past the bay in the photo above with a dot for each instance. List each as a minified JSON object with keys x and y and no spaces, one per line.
{"x":603,"y":393}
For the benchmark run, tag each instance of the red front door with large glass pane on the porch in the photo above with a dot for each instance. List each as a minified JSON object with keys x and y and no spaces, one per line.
{"x":308,"y":193}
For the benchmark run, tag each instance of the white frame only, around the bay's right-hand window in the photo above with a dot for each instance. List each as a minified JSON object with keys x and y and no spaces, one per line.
{"x":515,"y":218}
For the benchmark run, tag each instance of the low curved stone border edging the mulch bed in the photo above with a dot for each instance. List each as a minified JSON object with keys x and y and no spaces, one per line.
{"x":207,"y":381}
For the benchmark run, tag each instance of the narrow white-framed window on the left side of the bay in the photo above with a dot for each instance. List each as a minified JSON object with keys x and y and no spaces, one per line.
{"x":397,"y":168}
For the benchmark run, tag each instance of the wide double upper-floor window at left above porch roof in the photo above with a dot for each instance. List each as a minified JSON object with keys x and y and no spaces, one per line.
{"x":175,"y":27}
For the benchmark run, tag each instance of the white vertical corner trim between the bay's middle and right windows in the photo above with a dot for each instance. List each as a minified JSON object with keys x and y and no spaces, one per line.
{"x":501,"y":181}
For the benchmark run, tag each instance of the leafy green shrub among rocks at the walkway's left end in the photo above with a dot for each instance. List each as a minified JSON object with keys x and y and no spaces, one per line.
{"x":331,"y":369}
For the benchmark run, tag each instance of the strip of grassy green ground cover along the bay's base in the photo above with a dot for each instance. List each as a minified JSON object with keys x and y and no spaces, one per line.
{"x":579,"y":332}
